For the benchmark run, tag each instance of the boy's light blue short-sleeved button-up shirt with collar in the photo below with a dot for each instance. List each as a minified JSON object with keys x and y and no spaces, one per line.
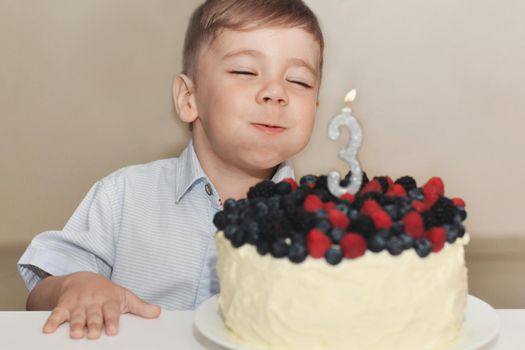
{"x":146,"y":227}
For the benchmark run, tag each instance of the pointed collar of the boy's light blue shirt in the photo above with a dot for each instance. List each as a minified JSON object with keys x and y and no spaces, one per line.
{"x":189,"y":171}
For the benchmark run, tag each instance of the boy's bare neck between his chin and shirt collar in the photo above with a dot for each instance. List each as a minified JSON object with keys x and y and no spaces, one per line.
{"x":229,"y":180}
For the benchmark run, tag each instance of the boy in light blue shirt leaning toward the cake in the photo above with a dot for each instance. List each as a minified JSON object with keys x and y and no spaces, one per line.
{"x":144,"y":234}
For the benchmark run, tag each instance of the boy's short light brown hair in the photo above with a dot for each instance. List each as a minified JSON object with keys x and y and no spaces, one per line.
{"x":213,"y":16}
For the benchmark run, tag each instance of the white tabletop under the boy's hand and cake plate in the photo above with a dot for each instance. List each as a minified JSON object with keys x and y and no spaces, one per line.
{"x":173,"y":330}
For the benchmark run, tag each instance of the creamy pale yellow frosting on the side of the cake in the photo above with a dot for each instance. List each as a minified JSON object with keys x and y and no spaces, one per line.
{"x":377,"y":301}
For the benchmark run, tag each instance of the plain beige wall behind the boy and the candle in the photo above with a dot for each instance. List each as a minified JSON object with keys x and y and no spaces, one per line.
{"x":85,"y":89}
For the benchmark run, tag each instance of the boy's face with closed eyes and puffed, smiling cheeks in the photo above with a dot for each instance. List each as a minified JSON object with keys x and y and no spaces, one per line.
{"x":256,"y":95}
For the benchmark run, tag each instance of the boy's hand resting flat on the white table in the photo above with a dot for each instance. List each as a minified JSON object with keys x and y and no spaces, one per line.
{"x":87,"y":299}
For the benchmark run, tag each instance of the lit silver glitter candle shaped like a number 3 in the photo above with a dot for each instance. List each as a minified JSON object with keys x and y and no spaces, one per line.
{"x":349,"y":154}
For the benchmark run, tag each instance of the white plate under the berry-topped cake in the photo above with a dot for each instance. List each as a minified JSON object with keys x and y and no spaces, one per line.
{"x":481,"y":325}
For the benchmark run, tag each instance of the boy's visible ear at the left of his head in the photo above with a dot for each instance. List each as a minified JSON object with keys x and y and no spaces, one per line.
{"x":184,"y":98}
